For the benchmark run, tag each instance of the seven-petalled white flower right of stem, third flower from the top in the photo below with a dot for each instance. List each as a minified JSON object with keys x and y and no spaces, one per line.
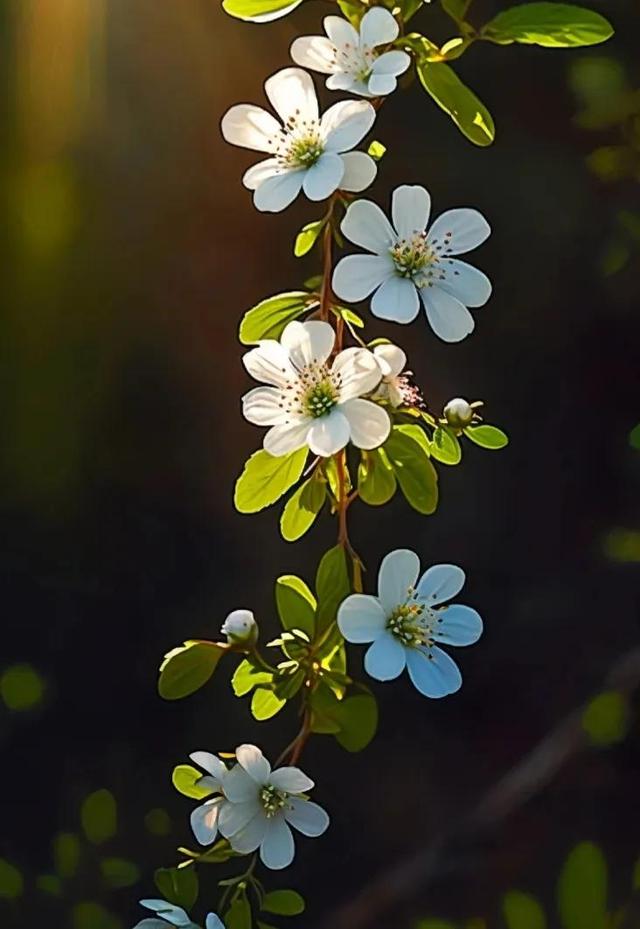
{"x":408,"y":262}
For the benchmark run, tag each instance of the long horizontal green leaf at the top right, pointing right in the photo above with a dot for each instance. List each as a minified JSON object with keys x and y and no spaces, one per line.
{"x":553,"y":25}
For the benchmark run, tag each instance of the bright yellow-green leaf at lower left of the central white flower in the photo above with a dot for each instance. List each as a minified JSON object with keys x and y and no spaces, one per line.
{"x":266,"y":478}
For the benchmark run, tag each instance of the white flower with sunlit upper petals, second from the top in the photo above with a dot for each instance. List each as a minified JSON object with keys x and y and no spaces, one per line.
{"x":306,"y":152}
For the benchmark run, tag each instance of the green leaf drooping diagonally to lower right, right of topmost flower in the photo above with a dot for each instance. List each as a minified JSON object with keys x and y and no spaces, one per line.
{"x":468,"y":113}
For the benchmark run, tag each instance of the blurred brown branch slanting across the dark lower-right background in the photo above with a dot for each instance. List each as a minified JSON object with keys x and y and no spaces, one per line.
{"x":525,"y":780}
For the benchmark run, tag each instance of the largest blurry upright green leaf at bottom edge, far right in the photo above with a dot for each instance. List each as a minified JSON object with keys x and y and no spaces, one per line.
{"x":582,"y":889}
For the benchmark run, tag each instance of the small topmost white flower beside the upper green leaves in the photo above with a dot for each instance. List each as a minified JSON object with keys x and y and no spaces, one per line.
{"x":351,"y":58}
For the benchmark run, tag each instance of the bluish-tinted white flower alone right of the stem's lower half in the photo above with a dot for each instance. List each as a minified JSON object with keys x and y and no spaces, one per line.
{"x":403,"y":623}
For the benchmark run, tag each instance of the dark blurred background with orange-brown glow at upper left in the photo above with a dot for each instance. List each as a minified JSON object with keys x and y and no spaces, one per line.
{"x":132,"y":252}
